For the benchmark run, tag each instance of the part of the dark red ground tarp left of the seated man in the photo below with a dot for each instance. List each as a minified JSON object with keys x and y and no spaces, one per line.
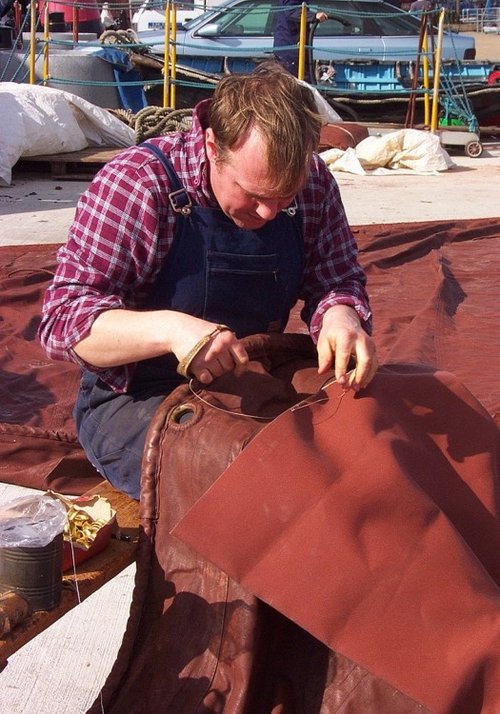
{"x":38,"y":444}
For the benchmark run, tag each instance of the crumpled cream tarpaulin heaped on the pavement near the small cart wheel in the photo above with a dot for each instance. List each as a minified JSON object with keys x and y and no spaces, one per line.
{"x":409,"y":150}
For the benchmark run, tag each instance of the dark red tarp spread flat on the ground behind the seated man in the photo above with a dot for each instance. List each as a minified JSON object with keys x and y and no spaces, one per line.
{"x":435,"y":291}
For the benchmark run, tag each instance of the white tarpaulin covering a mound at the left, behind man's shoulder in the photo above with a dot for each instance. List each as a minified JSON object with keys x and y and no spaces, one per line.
{"x":40,"y":120}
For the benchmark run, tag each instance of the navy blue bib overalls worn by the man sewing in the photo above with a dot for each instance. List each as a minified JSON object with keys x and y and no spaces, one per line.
{"x":247,"y":280}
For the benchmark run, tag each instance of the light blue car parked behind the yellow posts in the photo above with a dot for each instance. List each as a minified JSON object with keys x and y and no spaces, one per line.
{"x":237,"y":33}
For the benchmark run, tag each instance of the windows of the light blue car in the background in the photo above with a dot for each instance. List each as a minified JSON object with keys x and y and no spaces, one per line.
{"x":255,"y":18}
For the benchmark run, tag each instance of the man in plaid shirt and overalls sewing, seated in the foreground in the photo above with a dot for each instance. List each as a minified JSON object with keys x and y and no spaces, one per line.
{"x":169,"y":263}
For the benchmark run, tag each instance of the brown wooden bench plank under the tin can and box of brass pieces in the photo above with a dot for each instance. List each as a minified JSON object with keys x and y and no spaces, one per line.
{"x":90,"y":575}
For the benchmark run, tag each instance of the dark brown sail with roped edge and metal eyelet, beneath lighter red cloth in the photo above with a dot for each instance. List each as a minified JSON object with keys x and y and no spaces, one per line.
{"x":197,"y":640}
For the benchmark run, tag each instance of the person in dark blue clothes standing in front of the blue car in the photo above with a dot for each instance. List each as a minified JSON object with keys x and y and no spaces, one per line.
{"x":286,"y":33}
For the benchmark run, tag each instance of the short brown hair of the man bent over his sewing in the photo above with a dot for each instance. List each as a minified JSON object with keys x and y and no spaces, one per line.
{"x":282,"y":109}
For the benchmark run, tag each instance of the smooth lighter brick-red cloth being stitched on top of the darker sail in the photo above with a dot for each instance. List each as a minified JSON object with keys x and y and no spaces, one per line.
{"x":371,"y":521}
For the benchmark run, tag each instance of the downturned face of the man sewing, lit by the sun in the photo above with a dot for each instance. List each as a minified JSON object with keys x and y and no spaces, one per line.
{"x":241,"y":185}
